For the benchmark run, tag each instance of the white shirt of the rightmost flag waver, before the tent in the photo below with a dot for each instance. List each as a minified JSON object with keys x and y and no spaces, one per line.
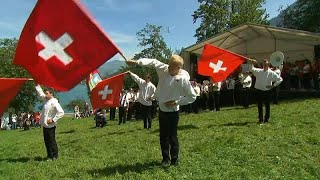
{"x":265,"y":78}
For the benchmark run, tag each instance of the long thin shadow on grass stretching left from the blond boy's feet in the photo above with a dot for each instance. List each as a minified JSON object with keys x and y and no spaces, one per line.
{"x":122,"y":169}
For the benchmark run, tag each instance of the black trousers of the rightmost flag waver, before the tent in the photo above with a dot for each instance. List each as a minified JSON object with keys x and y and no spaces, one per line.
{"x":264,"y":97}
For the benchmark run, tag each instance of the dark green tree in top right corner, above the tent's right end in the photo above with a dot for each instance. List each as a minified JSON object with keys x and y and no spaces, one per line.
{"x":302,"y":15}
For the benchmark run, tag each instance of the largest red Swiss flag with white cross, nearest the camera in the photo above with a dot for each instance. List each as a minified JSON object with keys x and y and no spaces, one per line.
{"x":61,"y":44}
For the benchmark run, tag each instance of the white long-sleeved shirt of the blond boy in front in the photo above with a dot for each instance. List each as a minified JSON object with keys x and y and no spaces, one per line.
{"x":171,"y":88}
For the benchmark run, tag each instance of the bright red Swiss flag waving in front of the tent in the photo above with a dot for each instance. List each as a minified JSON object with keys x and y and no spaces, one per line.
{"x":218,"y":63}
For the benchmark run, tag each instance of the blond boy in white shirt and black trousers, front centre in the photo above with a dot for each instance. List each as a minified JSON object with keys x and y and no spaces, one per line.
{"x":174,"y":89}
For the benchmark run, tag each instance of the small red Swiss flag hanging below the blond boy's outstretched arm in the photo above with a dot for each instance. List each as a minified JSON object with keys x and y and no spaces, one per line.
{"x":107,"y":92}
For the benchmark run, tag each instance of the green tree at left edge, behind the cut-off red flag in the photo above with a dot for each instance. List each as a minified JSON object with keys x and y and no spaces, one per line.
{"x":27,"y":96}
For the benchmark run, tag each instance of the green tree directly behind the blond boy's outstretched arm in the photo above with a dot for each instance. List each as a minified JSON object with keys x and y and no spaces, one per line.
{"x":151,"y":40}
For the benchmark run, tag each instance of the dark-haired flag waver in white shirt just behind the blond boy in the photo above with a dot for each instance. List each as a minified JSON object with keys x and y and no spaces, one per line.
{"x":146,"y":93}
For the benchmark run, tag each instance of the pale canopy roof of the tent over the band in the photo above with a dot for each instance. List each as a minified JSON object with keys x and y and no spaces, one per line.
{"x":259,"y":41}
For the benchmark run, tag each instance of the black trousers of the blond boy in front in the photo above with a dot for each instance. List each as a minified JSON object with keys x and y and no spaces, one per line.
{"x":168,"y":123}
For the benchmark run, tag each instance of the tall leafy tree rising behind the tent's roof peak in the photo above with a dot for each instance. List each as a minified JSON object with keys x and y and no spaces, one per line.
{"x":217,"y":16}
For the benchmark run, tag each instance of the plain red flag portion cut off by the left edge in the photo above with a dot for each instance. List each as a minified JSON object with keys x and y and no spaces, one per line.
{"x":9,"y":88}
